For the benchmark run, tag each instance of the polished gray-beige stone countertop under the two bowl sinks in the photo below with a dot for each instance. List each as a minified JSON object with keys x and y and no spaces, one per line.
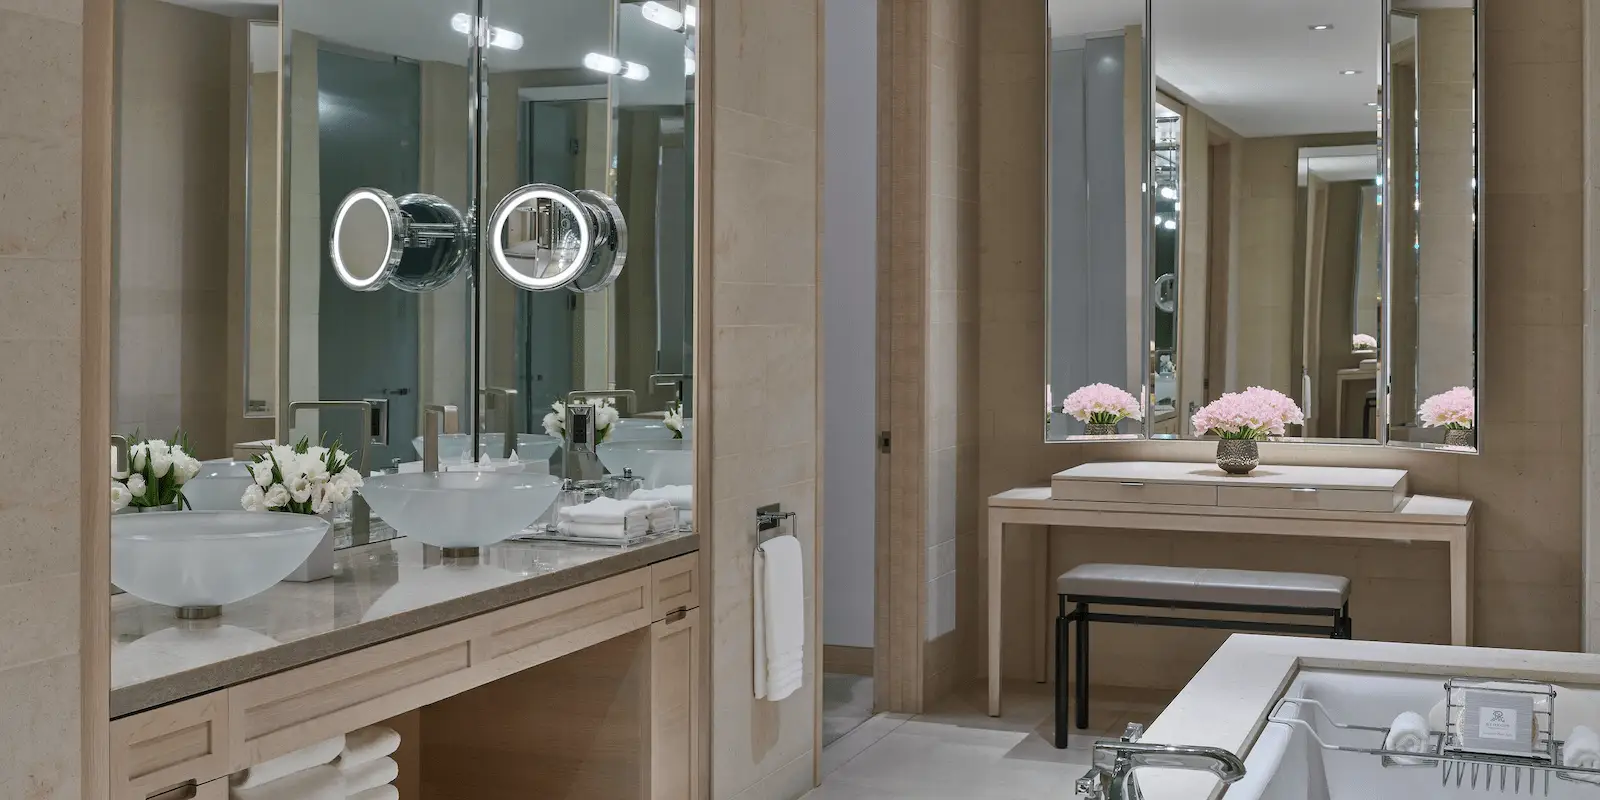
{"x":378,"y":593}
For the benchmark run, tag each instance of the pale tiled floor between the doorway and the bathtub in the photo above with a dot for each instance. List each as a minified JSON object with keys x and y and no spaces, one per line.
{"x":956,"y":751}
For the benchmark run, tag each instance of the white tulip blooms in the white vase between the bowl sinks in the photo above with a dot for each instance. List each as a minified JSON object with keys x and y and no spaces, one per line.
{"x":302,"y":479}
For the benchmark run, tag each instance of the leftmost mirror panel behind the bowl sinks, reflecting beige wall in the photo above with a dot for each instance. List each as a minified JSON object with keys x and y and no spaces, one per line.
{"x":196,"y":279}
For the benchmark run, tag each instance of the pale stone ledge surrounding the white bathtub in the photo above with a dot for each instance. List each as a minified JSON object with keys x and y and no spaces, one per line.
{"x":1230,"y":700}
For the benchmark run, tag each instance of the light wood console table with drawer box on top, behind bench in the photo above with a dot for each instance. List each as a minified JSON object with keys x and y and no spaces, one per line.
{"x":1273,"y":502}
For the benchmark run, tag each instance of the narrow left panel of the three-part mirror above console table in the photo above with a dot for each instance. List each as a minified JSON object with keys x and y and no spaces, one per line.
{"x":1097,"y":375}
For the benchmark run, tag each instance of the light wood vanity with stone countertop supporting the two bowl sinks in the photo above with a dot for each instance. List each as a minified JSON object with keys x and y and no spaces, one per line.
{"x":562,"y":671}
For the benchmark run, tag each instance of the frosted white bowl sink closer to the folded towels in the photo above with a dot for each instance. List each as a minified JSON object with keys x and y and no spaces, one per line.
{"x":462,"y":510}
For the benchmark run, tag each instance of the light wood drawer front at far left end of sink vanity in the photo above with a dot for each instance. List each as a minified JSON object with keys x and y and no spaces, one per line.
{"x":170,"y":746}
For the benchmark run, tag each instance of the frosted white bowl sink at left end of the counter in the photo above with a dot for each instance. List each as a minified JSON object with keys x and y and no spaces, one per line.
{"x":207,"y":559}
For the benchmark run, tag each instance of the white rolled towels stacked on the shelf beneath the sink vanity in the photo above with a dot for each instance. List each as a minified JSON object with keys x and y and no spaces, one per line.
{"x":353,"y":767}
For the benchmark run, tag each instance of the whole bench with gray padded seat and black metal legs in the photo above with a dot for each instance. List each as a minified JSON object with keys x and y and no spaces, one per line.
{"x":1180,"y":590}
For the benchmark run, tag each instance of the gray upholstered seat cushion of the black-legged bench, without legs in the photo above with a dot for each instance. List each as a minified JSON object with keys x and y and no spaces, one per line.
{"x":1206,"y":586}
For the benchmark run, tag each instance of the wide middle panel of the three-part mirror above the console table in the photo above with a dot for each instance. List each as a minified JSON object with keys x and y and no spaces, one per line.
{"x":1276,"y":254}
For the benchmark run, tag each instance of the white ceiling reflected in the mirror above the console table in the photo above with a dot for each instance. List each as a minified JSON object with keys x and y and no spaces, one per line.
{"x":1255,"y":65}
